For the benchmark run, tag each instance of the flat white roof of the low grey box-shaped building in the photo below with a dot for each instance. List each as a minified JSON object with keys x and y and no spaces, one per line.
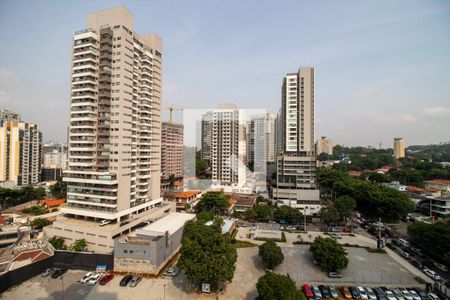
{"x":171,"y":223}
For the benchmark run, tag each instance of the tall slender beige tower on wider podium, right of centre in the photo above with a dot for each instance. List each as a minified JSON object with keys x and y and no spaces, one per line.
{"x":296,"y":165}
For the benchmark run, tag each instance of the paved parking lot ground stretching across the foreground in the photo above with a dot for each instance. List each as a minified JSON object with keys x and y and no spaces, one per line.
{"x":364,"y":268}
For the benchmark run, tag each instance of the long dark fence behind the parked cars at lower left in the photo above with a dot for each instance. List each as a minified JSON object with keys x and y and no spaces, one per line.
{"x":66,"y":259}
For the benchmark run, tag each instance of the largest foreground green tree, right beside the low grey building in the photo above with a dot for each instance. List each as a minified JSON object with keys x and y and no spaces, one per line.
{"x":207,"y":256}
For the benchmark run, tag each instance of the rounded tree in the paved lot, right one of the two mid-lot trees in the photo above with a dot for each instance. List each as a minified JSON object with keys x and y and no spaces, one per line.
{"x":330,"y":255}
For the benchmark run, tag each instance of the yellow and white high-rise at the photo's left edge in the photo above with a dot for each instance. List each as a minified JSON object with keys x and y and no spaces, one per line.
{"x":20,"y":152}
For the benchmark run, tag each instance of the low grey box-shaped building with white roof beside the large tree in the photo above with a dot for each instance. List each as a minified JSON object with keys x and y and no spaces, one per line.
{"x":149,"y":249}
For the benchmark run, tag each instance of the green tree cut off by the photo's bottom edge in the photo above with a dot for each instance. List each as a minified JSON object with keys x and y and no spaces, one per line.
{"x":272,"y":286}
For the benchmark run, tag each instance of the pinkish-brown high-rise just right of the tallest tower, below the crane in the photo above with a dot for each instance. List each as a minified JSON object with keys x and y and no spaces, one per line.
{"x":171,"y":150}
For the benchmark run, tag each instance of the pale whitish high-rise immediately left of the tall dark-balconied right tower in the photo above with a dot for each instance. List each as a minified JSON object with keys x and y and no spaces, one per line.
{"x":261,"y":140}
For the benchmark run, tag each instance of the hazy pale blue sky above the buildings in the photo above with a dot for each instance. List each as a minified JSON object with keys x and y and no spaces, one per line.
{"x":382,"y":67}
